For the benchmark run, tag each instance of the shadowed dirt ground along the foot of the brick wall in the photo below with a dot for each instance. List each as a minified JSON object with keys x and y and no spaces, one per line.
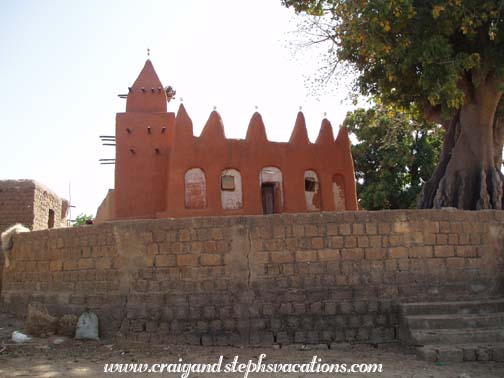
{"x":56,"y":357}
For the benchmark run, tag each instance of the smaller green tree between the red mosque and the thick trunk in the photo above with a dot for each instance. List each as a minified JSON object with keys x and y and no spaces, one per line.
{"x":395,"y":154}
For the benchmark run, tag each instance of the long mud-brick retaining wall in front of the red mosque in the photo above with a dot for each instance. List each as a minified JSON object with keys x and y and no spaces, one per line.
{"x":290,"y":278}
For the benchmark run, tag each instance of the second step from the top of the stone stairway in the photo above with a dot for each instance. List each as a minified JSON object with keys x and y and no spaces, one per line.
{"x":451,"y":321}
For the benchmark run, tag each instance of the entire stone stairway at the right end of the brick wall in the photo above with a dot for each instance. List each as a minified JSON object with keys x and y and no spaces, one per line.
{"x":454,"y":331}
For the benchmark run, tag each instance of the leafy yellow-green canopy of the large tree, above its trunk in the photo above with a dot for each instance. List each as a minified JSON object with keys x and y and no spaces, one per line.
{"x":414,"y":50}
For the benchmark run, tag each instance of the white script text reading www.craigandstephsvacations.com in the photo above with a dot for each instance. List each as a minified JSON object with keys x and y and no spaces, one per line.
{"x":185,"y":369}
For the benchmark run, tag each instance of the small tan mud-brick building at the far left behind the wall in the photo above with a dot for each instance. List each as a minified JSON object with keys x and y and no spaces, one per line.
{"x":32,"y":204}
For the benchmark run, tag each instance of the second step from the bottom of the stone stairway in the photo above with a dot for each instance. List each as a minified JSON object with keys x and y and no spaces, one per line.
{"x":457,"y":336}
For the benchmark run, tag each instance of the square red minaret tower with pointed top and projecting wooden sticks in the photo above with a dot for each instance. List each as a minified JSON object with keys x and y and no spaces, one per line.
{"x":144,"y":134}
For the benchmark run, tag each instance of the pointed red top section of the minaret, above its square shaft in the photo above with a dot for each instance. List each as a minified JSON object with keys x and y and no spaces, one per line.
{"x":147,"y":93}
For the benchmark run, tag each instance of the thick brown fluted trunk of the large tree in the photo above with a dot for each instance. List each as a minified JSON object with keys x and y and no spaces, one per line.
{"x":468,"y":175}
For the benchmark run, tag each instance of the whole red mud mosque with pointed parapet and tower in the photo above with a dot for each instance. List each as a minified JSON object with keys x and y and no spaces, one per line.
{"x":162,"y":170}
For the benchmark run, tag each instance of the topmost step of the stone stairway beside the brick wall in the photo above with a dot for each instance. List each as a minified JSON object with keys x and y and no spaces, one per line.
{"x":481,"y":307}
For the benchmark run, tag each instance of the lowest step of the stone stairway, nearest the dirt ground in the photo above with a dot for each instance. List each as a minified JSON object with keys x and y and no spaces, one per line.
{"x":462,"y":352}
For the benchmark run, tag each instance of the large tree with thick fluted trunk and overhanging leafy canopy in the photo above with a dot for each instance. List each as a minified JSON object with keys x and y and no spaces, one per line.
{"x":444,"y":56}
